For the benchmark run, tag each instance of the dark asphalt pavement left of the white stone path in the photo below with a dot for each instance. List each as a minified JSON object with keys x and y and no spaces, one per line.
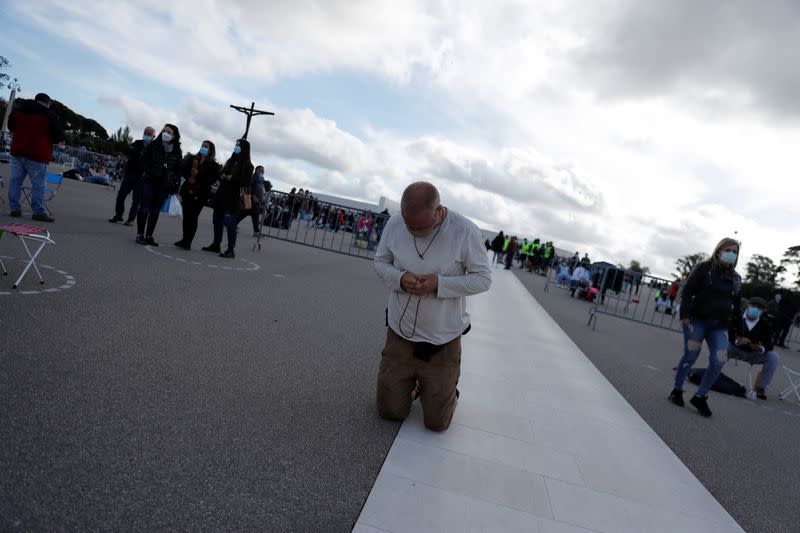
{"x":175,"y":390}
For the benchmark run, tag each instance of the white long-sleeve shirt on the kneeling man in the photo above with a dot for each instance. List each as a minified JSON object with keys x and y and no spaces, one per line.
{"x":457,"y":255}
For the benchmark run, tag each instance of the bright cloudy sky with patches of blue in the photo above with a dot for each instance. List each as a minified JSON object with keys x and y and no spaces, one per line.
{"x":632,"y":130}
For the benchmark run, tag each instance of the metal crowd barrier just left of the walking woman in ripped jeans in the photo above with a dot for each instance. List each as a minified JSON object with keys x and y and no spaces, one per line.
{"x":634,"y":296}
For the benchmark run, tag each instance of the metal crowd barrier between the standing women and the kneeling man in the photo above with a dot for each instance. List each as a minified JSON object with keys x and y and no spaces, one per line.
{"x":328,"y":226}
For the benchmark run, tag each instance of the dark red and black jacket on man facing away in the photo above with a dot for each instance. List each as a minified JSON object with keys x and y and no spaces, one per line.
{"x":35,"y":129}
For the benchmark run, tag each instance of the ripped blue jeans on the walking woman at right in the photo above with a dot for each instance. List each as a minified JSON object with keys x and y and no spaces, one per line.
{"x":715,"y":333}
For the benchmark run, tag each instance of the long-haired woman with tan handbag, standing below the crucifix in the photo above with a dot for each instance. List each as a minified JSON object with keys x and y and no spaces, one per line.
{"x":235,"y":174}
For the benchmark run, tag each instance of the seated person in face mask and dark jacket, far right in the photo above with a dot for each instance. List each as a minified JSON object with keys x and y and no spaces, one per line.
{"x":752,"y":343}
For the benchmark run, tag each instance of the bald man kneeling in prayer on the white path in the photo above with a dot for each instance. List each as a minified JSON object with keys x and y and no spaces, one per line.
{"x":430,"y":258}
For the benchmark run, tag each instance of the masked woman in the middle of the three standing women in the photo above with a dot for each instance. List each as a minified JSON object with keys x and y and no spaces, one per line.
{"x":200,"y":171}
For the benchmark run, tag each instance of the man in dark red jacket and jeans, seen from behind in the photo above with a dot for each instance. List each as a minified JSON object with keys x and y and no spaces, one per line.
{"x":35,"y":129}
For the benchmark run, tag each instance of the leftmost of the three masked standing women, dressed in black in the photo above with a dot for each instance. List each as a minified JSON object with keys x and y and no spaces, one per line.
{"x":161,"y":161}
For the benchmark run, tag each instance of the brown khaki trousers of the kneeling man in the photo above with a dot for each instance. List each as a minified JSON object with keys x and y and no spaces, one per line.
{"x":400,"y":371}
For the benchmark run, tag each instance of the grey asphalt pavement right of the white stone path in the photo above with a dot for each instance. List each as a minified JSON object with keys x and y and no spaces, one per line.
{"x":745,"y":454}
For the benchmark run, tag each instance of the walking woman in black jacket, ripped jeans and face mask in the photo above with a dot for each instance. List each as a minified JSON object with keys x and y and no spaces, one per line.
{"x":711,"y":298}
